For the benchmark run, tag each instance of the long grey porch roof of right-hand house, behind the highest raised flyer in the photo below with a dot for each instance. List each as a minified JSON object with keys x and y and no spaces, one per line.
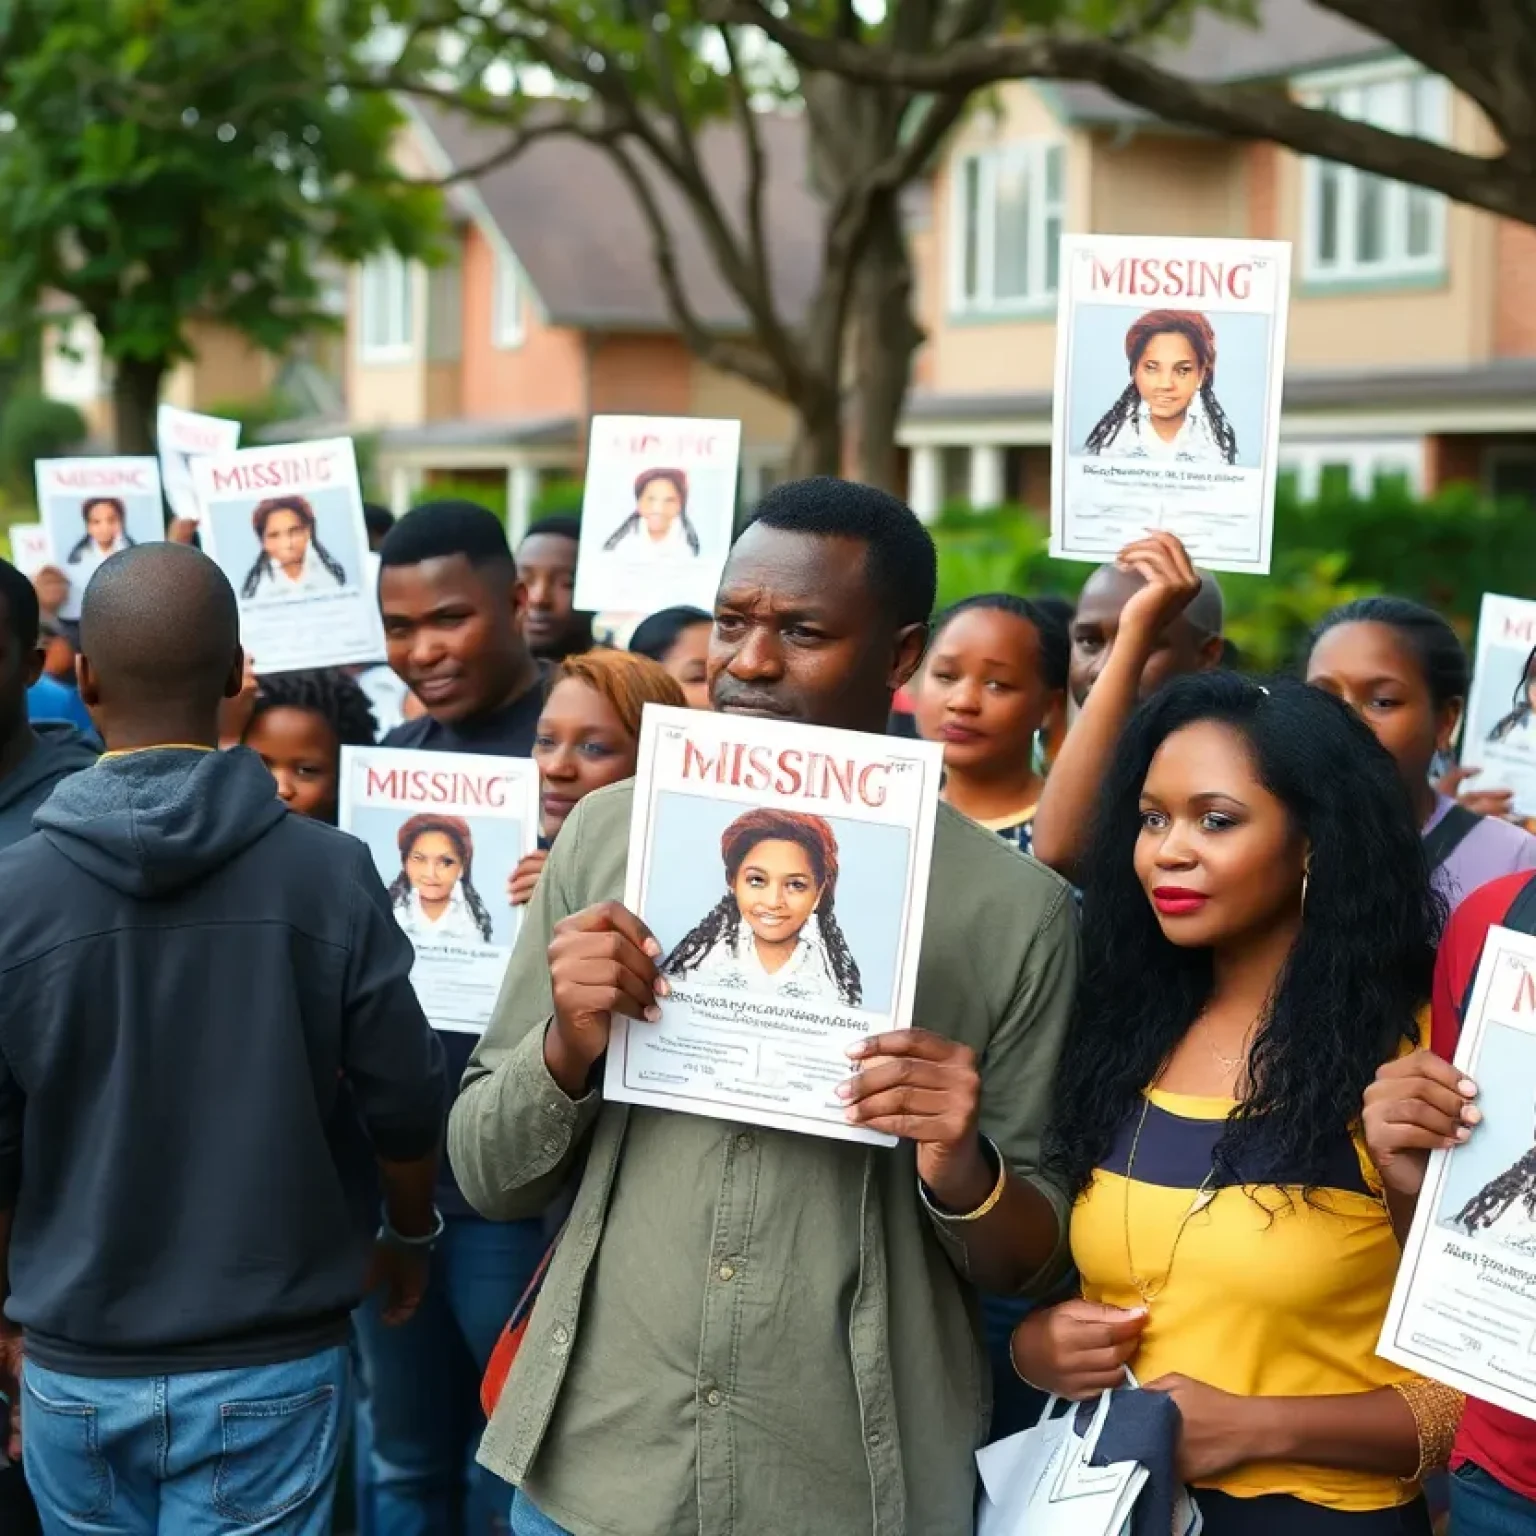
{"x":1485,"y":383}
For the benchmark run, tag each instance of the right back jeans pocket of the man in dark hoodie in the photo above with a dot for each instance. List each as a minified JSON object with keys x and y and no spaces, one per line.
{"x":274,"y":1454}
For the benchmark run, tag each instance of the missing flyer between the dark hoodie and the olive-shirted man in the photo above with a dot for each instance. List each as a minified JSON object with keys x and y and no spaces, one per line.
{"x":446,"y":833}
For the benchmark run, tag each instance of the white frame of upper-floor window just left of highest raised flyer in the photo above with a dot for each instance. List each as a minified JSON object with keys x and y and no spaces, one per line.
{"x":1036,"y":156}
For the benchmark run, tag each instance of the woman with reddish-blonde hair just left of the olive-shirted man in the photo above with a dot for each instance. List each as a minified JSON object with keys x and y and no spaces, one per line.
{"x":589,"y":737}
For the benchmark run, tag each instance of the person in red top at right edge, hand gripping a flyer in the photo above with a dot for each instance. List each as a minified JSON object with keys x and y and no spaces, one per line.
{"x":1422,"y":1104}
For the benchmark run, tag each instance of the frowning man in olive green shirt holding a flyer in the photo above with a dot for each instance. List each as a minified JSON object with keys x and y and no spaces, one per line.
{"x":749,"y":1332}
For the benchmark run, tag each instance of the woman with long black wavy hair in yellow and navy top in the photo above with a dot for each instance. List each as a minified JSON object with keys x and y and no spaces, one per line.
{"x":1259,"y":939}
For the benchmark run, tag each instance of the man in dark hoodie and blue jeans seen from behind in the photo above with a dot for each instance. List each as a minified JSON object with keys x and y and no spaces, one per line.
{"x":211,"y":1058}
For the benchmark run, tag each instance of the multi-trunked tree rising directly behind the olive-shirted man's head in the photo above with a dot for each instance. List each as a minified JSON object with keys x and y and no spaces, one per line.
{"x":644,"y":81}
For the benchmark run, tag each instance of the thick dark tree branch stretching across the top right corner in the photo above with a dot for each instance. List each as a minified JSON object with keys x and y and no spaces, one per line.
{"x":1485,"y":48}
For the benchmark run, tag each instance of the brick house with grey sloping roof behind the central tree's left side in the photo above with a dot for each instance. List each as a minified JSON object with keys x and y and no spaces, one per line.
{"x":549,"y":311}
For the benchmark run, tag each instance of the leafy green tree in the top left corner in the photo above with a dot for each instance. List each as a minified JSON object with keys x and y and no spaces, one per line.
{"x":167,"y":164}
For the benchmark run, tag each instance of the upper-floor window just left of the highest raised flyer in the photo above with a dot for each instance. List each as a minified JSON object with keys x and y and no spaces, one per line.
{"x":1007,"y":228}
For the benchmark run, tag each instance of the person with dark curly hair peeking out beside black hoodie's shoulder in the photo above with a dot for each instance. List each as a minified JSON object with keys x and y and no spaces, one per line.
{"x":299,"y":726}
